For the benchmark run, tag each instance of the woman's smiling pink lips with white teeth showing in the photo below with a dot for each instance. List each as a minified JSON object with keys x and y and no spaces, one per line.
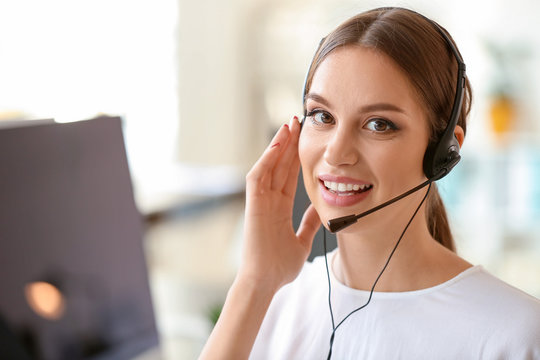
{"x":342,"y":191}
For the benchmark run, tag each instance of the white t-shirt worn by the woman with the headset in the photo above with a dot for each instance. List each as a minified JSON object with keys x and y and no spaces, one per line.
{"x":472,"y":316}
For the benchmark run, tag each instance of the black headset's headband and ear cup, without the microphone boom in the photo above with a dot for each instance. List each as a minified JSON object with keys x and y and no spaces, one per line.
{"x":443,"y":153}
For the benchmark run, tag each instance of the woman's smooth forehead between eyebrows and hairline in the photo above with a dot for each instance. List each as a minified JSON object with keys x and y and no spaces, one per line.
{"x":358,"y":76}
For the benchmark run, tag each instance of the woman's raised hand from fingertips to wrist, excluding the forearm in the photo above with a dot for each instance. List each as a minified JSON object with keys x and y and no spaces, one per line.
{"x":273,"y":253}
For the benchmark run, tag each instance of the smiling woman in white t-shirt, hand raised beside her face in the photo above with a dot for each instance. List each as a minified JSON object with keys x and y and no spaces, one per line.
{"x":380,"y":91}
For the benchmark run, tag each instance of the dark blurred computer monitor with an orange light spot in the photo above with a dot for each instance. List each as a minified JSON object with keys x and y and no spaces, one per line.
{"x":68,"y":223}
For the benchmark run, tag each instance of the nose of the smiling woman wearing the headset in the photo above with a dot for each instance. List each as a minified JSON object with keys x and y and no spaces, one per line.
{"x":342,"y":147}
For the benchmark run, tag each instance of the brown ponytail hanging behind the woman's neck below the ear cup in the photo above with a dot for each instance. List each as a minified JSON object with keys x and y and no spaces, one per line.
{"x":437,"y":219}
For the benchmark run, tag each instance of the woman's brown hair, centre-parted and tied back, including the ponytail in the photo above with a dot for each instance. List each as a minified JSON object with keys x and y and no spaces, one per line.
{"x":414,"y":43}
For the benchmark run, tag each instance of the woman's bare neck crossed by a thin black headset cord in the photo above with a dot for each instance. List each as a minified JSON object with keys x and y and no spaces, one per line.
{"x":418,"y":261}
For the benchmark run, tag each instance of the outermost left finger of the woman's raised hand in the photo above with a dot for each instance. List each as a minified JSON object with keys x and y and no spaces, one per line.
{"x":268,"y":159}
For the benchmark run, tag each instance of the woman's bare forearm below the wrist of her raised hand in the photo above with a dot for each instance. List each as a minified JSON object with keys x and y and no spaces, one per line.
{"x":239,"y":322}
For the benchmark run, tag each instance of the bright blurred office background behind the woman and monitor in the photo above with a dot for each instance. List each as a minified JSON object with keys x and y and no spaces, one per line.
{"x":202,"y":85}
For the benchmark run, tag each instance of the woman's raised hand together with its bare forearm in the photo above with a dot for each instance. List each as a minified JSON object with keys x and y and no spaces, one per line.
{"x":273,"y":254}
